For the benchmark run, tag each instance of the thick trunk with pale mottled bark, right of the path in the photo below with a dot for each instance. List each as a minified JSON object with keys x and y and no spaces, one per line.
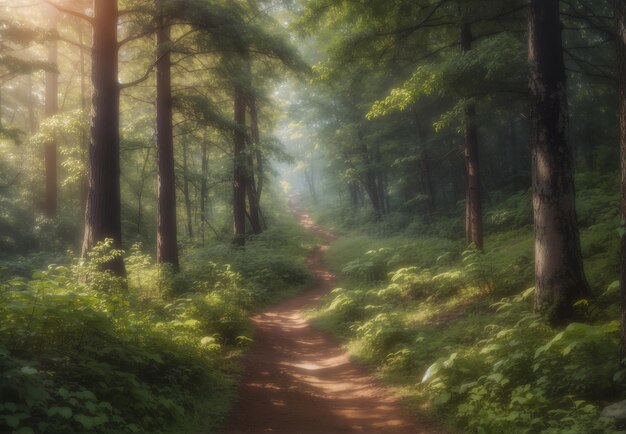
{"x":560,"y":279}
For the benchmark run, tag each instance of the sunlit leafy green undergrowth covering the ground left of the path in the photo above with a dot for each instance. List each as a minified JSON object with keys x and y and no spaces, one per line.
{"x":84,"y":351}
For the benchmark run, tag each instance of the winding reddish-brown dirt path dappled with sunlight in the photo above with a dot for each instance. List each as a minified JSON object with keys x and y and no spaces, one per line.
{"x":298,"y":380}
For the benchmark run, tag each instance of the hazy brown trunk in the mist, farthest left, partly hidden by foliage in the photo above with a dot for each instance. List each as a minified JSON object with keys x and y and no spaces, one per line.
{"x":51,"y":109}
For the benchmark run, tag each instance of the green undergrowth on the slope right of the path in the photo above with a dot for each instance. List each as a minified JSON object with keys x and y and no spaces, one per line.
{"x":454,"y":328}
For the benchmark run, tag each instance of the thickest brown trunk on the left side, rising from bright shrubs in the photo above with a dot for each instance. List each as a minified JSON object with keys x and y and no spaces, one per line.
{"x":103,"y":214}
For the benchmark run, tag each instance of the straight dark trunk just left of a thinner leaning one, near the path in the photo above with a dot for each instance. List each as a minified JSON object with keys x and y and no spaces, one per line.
{"x":239,"y":169}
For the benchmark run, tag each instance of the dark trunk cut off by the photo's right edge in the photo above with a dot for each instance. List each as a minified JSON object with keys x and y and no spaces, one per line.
{"x":620,"y":22}
